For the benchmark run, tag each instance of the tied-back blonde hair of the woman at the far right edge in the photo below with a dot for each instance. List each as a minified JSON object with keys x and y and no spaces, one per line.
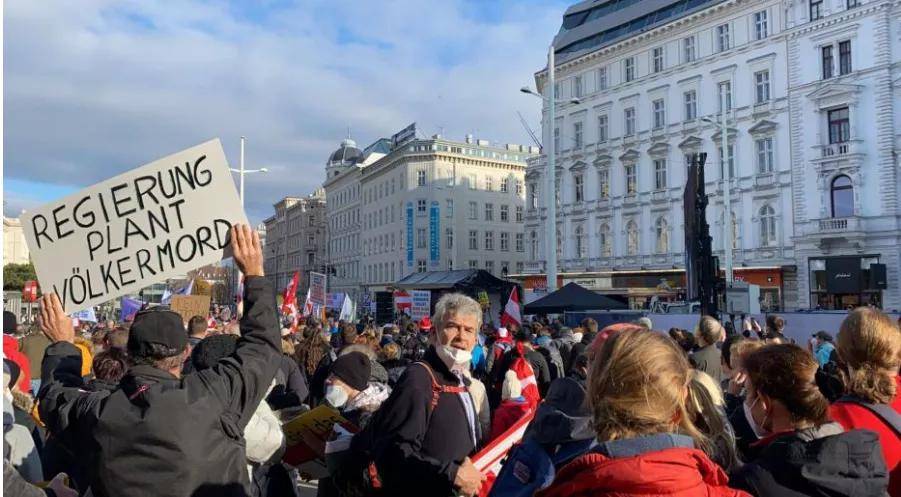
{"x":869,"y":346}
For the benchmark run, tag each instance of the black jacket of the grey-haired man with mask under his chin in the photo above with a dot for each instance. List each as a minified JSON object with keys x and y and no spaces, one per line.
{"x":418,"y":450}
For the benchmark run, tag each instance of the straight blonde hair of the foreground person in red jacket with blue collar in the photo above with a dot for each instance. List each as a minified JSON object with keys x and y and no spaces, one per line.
{"x":637,"y":385}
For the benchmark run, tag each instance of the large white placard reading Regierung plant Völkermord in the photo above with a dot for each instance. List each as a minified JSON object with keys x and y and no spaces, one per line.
{"x":155,"y":222}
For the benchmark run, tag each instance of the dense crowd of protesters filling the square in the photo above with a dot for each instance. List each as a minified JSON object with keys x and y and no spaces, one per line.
{"x":156,"y":406}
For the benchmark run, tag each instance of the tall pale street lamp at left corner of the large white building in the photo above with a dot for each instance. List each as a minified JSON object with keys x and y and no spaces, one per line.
{"x":550,"y":100}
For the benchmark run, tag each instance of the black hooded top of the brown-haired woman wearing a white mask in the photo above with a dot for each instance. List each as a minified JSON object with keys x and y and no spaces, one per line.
{"x":817,"y":462}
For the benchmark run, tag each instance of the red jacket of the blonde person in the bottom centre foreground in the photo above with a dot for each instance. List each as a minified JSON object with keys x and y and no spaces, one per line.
{"x":675,"y":472}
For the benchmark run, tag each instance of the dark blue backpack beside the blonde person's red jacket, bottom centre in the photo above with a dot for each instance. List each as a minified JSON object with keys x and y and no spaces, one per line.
{"x":530,"y":468}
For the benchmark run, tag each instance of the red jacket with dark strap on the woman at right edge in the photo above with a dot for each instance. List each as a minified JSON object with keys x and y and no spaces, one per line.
{"x":852,"y":416}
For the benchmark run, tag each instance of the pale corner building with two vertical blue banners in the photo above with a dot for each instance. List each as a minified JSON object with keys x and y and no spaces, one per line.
{"x":425,"y":205}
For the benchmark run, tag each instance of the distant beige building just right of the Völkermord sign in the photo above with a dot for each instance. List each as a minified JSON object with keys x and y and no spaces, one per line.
{"x":296,"y":240}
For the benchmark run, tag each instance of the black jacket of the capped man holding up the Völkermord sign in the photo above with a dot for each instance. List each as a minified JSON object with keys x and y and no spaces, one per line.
{"x":157,"y":435}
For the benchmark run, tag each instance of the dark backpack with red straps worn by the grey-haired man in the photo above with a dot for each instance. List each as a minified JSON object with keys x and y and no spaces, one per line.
{"x":358,"y":475}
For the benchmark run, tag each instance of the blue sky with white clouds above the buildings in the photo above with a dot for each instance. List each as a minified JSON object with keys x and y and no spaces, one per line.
{"x":96,"y":87}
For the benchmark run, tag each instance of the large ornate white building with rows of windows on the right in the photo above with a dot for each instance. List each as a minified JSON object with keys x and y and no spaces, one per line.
{"x":647,"y":73}
